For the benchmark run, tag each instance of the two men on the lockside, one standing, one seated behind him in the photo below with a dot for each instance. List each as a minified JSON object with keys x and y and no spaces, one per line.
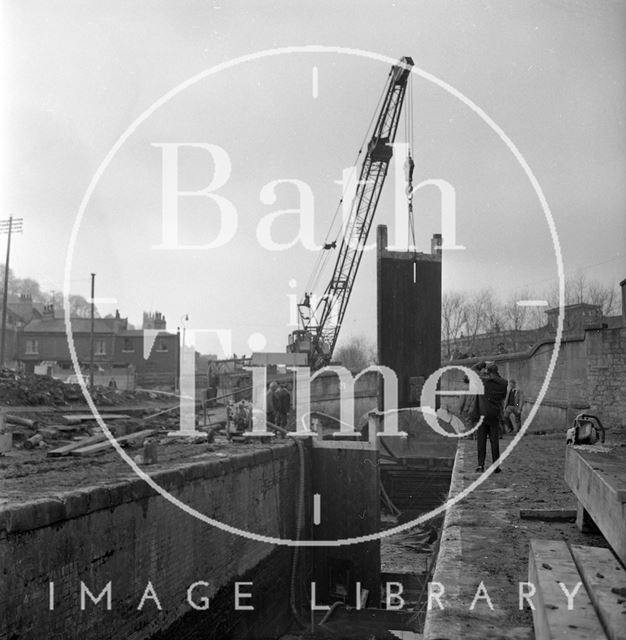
{"x":500,"y":407}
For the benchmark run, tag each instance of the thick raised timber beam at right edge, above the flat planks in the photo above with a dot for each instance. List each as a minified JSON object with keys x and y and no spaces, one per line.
{"x":599,"y":492}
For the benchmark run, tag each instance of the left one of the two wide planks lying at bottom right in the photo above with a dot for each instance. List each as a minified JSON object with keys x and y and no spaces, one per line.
{"x":549,"y":564}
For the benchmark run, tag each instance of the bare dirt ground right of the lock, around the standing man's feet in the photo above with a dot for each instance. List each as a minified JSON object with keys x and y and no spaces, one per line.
{"x":532,"y":478}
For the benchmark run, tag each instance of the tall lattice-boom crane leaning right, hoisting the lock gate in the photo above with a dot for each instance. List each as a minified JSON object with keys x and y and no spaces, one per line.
{"x":320,"y":321}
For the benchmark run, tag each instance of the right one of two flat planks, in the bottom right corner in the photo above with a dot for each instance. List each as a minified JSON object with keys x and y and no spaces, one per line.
{"x":604,"y":577}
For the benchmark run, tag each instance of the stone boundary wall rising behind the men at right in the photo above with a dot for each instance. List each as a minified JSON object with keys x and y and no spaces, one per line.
{"x":590,"y":375}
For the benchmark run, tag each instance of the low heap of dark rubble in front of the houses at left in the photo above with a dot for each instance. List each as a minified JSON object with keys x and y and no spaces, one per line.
{"x":31,"y":389}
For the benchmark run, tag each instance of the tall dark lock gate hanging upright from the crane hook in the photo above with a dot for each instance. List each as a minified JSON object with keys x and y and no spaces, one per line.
{"x":409,"y":315}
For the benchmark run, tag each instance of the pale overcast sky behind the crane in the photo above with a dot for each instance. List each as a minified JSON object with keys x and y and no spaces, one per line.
{"x":550,"y":73}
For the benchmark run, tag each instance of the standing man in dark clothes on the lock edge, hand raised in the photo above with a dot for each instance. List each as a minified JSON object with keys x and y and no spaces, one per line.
{"x":490,"y":407}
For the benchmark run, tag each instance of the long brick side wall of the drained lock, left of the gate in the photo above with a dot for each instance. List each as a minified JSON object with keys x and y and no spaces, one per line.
{"x":128,"y":535}
